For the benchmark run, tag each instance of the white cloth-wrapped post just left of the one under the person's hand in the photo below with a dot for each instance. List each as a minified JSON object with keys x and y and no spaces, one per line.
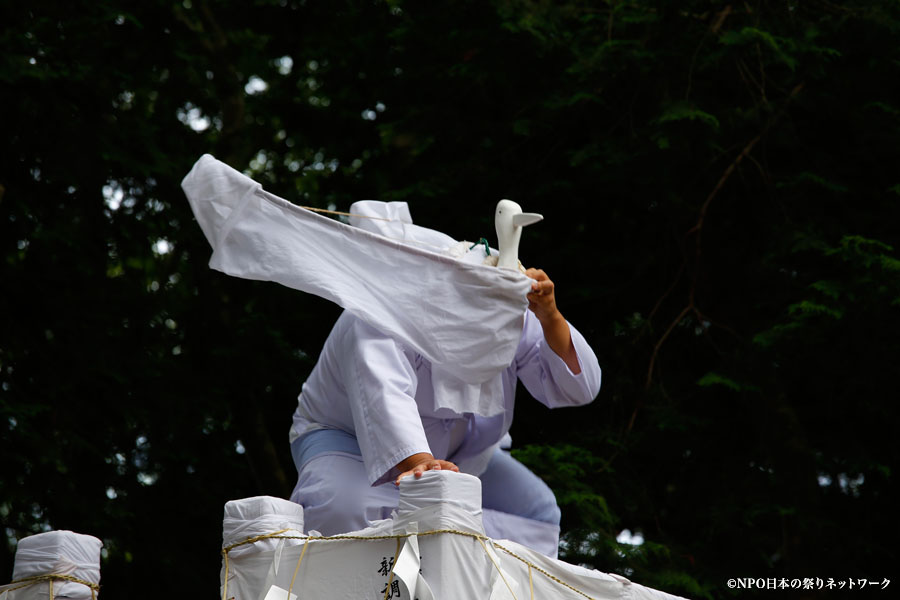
{"x":255,"y":519}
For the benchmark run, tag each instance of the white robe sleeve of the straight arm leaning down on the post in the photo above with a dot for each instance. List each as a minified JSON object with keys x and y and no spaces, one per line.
{"x":381,"y":383}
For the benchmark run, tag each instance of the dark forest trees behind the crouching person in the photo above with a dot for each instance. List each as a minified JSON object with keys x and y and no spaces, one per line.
{"x":721,"y":195}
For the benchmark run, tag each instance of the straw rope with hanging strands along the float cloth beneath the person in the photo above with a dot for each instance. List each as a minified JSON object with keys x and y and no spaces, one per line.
{"x":400,"y":536}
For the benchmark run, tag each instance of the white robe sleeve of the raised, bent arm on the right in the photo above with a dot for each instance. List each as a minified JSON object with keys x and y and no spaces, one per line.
{"x":546,"y":375}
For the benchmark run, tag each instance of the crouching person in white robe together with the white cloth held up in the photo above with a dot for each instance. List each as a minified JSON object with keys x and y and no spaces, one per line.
{"x":374,"y":409}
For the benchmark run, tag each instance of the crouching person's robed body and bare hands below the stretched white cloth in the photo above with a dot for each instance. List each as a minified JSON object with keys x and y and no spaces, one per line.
{"x":367,"y":417}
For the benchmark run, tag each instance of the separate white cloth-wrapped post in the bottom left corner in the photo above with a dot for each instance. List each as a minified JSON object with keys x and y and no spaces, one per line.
{"x":56,"y":565}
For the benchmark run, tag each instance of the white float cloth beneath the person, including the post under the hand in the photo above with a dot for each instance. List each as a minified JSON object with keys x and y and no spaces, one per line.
{"x":460,"y":563}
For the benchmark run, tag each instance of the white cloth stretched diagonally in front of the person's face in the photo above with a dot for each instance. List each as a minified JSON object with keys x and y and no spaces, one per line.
{"x":466,"y":318}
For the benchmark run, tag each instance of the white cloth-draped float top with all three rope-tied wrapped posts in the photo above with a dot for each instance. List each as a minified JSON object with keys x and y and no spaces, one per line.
{"x":433,"y":547}
